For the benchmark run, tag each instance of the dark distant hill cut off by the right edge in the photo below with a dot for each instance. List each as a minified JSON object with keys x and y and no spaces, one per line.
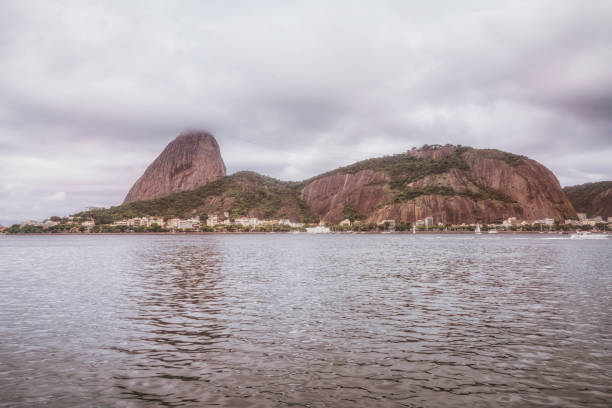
{"x":592,"y":198}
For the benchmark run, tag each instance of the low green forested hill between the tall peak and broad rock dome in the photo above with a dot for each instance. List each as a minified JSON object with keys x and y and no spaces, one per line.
{"x":241,"y":194}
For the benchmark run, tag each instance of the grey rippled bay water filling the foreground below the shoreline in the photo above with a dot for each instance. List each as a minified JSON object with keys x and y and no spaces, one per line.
{"x":295,"y":320}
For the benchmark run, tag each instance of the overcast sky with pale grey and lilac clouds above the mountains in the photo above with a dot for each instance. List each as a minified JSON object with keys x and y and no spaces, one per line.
{"x":92,"y":91}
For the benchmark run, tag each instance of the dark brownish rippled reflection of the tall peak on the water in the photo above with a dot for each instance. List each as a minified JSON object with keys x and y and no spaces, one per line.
{"x":176,"y":330}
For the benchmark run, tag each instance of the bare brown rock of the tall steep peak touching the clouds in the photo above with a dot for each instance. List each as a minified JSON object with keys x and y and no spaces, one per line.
{"x":189,"y":161}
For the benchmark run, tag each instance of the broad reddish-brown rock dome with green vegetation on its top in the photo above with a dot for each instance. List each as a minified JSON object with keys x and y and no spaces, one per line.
{"x":449,"y":183}
